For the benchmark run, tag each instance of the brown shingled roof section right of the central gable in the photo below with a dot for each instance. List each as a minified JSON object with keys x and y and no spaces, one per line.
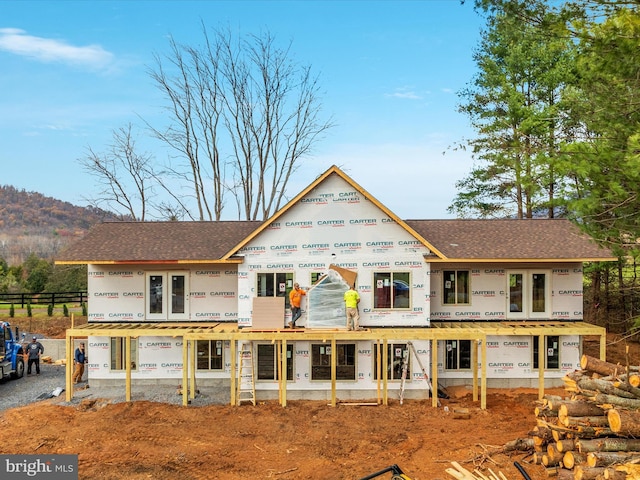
{"x":502,"y":240}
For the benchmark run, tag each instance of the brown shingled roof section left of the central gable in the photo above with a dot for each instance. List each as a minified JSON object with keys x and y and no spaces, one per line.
{"x":157,"y":242}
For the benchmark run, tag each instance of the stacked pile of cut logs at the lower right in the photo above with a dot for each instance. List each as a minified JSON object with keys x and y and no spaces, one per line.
{"x":592,"y":433}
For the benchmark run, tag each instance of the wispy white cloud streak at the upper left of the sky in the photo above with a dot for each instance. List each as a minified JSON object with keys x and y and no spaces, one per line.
{"x":17,"y":41}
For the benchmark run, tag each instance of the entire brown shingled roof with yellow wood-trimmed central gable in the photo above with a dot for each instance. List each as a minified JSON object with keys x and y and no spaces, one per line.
{"x":504,"y":240}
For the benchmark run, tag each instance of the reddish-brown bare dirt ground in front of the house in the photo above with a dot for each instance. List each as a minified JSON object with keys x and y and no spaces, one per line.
{"x":305,"y":440}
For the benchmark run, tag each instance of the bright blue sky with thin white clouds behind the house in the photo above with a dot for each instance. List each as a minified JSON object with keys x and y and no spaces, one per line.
{"x":74,"y":71}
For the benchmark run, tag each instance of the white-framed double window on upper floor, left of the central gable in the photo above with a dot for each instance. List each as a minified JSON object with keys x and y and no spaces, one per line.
{"x":168,"y":299}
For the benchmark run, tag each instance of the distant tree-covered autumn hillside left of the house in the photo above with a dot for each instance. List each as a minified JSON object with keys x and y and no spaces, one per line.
{"x":33,"y":223}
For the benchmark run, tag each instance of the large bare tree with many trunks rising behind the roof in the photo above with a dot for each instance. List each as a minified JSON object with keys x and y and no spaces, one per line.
{"x":241,"y":96}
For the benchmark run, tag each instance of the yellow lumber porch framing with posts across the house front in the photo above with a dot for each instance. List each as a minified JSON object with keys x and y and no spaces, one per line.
{"x":476,"y":332}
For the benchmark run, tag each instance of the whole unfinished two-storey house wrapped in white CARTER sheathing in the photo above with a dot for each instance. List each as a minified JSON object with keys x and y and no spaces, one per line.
{"x":468,"y":299}
